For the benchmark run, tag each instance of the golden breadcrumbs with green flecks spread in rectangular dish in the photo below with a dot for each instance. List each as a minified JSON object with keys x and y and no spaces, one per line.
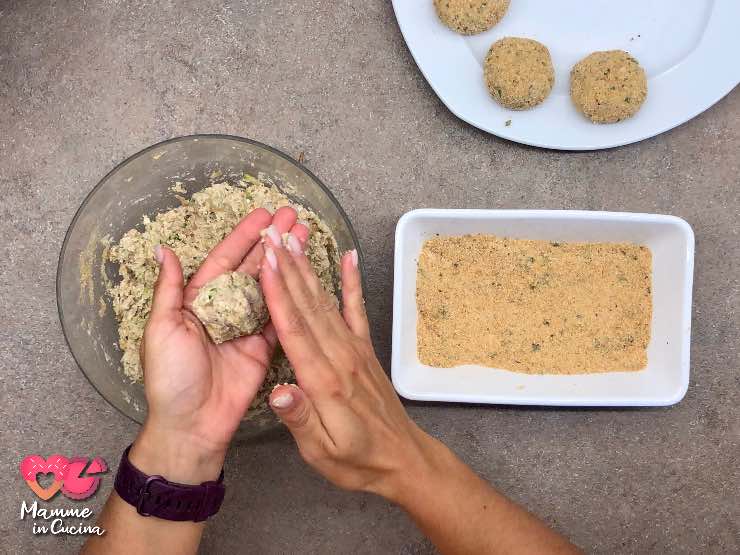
{"x":536,"y":307}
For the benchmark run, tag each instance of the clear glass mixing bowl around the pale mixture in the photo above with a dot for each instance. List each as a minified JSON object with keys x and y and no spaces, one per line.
{"x":140,"y":186}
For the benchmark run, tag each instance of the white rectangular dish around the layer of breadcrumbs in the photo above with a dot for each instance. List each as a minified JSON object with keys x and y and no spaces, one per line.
{"x":663,"y":382}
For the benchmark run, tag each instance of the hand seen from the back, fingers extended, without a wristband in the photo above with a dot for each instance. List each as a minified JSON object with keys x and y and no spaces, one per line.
{"x":344,"y":414}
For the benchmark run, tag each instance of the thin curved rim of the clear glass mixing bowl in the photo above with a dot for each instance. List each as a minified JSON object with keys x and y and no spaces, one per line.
{"x":91,"y":193}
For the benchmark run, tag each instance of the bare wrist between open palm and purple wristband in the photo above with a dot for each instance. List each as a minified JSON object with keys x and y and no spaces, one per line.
{"x":175,"y":456}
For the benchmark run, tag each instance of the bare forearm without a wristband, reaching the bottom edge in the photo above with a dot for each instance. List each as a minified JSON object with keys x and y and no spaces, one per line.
{"x":463,"y":514}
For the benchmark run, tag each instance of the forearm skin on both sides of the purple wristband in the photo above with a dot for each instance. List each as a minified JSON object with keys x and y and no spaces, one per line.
{"x":126,"y":530}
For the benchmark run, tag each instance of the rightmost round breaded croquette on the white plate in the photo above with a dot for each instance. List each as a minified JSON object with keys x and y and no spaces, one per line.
{"x":608,"y":86}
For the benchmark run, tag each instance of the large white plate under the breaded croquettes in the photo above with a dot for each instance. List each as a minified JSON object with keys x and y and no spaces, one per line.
{"x":688,"y":49}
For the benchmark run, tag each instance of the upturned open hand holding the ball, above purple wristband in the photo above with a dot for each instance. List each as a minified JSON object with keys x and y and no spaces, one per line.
{"x":198,"y":391}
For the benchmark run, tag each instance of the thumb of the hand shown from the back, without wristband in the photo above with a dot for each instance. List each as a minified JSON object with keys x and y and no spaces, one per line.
{"x":298,"y":413}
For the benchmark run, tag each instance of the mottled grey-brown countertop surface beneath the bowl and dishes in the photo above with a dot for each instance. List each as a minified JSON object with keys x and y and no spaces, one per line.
{"x":85,"y":84}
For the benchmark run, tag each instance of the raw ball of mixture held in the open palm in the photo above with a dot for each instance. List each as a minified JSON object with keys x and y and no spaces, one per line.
{"x":230,"y":306}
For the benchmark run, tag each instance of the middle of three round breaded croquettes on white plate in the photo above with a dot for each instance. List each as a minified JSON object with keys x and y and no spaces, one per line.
{"x":518,"y":72}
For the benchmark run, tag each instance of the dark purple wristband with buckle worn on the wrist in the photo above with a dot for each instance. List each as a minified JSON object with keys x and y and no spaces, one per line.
{"x":155,"y":496}
